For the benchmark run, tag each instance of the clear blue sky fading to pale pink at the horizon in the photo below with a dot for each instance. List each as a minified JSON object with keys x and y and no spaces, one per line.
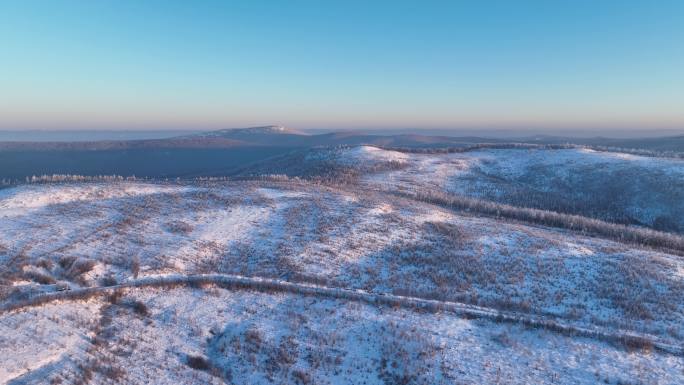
{"x":136,"y":64}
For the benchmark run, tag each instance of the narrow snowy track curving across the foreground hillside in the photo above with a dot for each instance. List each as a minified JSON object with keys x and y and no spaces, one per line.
{"x":236,"y":282}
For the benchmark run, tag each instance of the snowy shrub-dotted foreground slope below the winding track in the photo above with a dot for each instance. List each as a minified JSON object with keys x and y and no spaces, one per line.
{"x":214,"y":336}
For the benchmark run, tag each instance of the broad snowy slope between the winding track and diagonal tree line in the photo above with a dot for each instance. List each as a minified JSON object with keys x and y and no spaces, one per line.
{"x":341,"y":238}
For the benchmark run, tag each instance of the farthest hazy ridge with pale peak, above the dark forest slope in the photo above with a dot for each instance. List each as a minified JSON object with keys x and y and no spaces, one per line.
{"x":279,"y":136}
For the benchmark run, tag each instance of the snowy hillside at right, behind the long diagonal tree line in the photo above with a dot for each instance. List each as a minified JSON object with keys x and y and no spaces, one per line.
{"x":615,"y":187}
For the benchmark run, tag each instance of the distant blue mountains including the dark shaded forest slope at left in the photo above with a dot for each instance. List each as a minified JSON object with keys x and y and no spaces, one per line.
{"x":224,"y":152}
